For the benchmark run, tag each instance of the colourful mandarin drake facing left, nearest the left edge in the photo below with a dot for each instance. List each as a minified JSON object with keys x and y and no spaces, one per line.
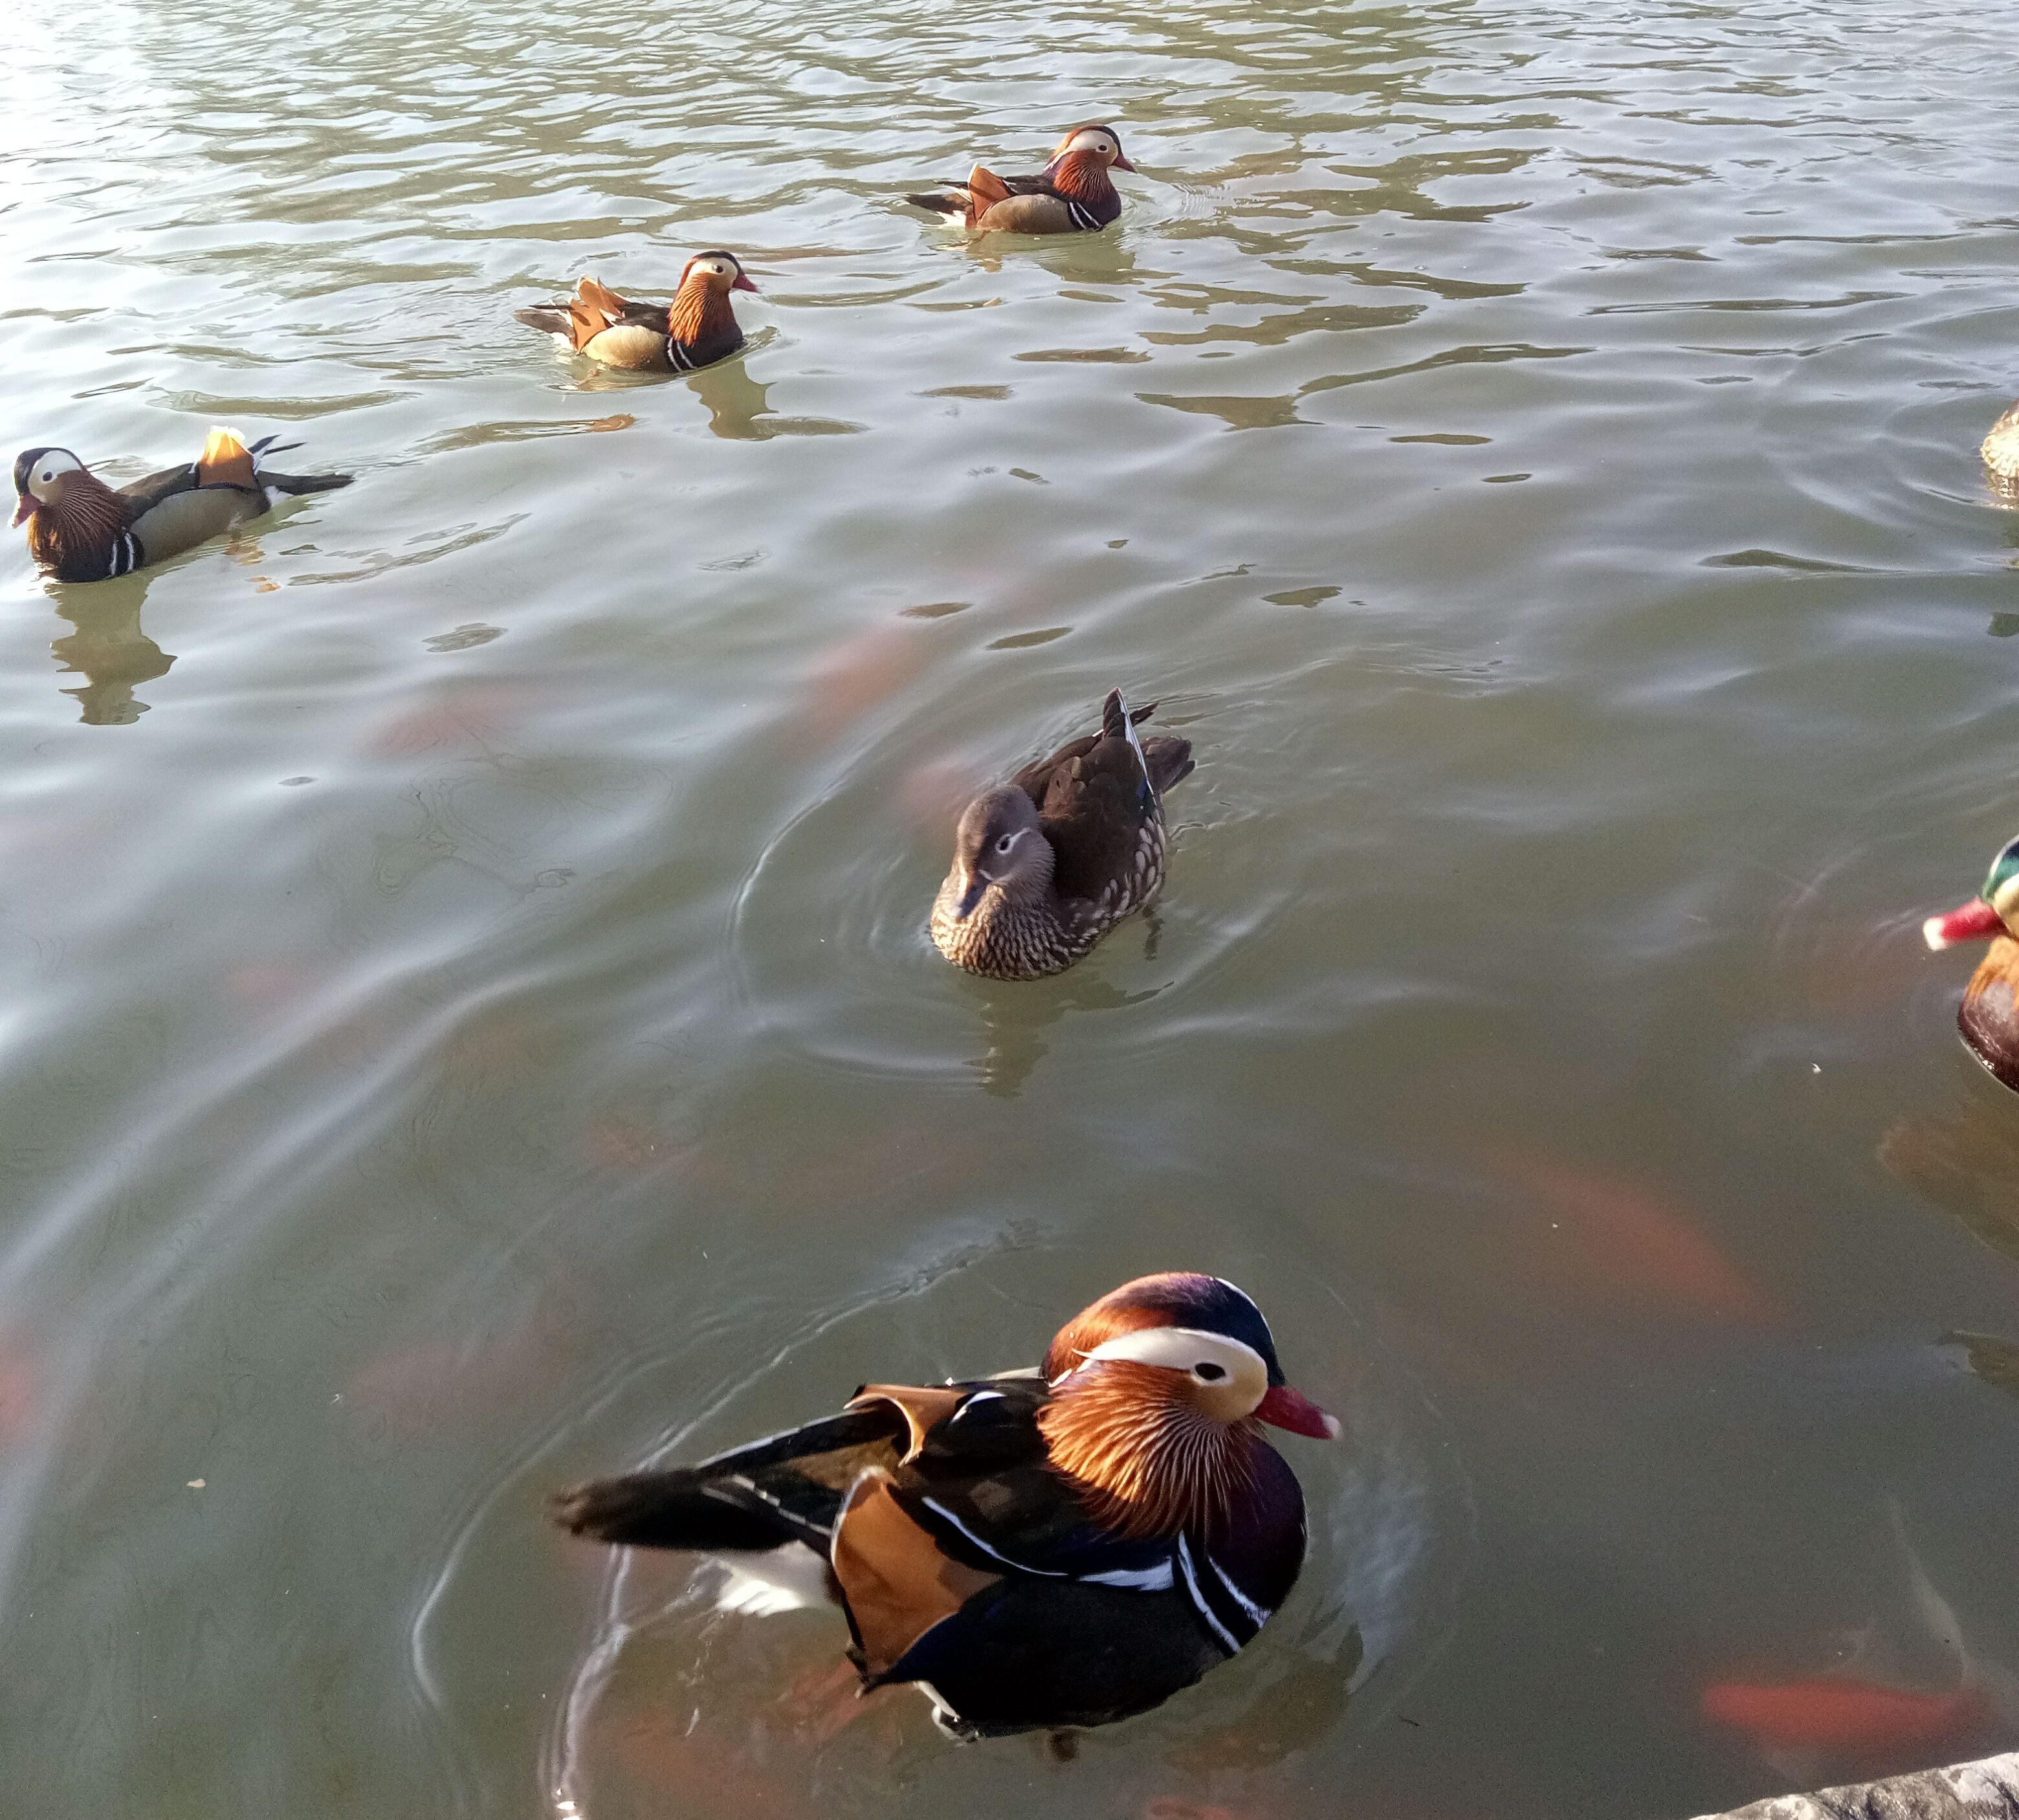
{"x":82,"y":530}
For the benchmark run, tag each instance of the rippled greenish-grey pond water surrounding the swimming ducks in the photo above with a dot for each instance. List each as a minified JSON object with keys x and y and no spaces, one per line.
{"x":467,"y":1019}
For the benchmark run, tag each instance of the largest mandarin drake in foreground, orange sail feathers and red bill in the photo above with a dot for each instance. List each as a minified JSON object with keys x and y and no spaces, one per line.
{"x":1047,"y":1548}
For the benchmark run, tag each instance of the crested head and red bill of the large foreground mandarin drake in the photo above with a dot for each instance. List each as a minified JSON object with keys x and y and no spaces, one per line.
{"x":1192,"y":1340}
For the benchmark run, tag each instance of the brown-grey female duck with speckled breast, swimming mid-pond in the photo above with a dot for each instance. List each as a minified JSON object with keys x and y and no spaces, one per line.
{"x":1047,"y":864}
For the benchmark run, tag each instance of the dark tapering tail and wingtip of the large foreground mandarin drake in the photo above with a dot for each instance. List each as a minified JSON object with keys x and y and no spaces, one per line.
{"x":788,"y":1488}
